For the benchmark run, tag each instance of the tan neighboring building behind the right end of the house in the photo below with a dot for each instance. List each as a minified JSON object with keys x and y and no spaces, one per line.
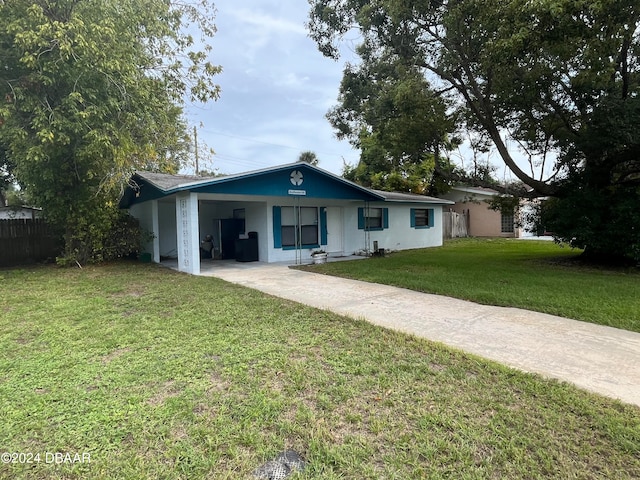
{"x":472,"y":202}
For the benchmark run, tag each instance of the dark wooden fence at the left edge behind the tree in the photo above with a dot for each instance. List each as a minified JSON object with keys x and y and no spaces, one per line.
{"x":26,"y":241}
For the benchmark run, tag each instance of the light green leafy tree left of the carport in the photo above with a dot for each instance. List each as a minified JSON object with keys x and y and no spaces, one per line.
{"x":91,"y":90}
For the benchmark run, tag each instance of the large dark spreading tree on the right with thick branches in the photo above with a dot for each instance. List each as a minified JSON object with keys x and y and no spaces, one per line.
{"x":556,"y":78}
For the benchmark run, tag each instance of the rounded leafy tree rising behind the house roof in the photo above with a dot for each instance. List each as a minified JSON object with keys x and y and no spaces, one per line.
{"x":389,"y":111}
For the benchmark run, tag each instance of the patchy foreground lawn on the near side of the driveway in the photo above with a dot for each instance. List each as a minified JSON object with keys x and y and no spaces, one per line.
{"x":157,"y":374}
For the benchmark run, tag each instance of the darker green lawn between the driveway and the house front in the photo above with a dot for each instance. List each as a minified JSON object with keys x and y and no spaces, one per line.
{"x":534,"y":275}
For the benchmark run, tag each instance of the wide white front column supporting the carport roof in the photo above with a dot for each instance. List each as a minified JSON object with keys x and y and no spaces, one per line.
{"x":188,"y":233}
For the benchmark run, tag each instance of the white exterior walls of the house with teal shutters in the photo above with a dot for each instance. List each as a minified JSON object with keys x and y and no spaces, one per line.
{"x":203,"y":210}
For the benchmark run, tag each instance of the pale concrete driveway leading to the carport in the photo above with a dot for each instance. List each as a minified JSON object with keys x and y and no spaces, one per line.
{"x":601,"y":359}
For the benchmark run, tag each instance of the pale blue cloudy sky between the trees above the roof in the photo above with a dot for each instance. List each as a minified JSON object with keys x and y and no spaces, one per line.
{"x":276,"y":90}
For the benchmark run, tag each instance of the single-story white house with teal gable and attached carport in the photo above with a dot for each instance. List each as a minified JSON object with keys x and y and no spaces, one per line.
{"x":276,"y":214}
